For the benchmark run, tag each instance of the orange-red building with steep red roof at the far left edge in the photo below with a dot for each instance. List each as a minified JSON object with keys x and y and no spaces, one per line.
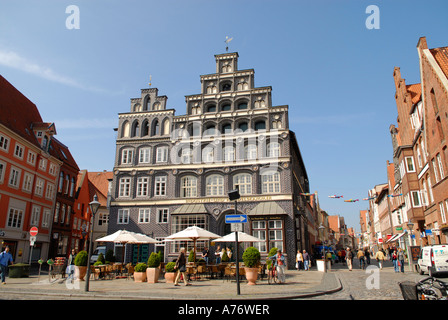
{"x":28,"y":175}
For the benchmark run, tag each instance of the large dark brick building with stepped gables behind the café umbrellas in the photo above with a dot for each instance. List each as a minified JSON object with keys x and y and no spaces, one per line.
{"x":172,"y":171}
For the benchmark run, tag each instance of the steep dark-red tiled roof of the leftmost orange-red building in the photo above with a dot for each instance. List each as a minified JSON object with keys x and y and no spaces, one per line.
{"x":17,"y":112}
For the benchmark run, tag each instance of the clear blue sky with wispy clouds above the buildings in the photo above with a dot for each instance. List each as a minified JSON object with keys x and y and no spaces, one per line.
{"x":320,"y":58}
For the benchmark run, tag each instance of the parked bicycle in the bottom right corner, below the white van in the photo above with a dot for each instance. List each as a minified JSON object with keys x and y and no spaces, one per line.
{"x":428,"y":288}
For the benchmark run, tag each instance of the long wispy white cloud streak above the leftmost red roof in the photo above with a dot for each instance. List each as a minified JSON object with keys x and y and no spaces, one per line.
{"x":13,"y":60}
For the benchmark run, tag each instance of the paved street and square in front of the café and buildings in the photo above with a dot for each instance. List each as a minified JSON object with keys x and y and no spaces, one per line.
{"x":337,"y":284}
